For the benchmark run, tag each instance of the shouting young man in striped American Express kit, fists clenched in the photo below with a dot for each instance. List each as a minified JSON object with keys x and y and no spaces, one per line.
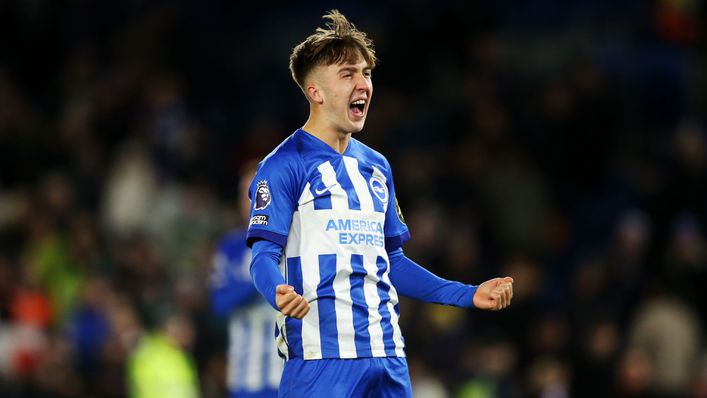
{"x":327,"y":236}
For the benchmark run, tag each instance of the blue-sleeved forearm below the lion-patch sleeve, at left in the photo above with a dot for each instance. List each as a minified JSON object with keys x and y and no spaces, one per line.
{"x":265,"y":270}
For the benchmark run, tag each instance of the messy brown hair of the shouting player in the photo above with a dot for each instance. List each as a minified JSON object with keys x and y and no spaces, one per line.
{"x":339,"y":42}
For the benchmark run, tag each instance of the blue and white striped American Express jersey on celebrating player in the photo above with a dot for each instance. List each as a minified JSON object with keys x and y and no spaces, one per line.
{"x":335,"y":215}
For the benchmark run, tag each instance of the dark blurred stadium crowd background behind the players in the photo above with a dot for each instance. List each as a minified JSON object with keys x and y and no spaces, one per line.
{"x":560,"y":142}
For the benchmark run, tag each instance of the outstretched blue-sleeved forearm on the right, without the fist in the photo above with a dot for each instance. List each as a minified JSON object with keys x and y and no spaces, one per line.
{"x":414,"y":281}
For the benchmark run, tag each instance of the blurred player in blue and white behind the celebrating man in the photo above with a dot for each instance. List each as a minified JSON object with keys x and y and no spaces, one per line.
{"x":254,"y":368}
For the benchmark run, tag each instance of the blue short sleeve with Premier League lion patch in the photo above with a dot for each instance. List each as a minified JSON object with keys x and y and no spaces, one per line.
{"x":273,"y":202}
